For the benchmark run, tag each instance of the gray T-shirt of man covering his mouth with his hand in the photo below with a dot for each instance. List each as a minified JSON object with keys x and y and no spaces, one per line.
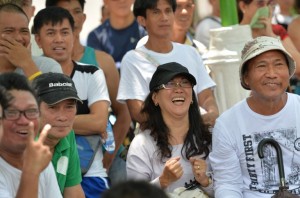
{"x":45,"y":64}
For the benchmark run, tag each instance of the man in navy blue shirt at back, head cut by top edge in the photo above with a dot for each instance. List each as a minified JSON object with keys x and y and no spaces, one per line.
{"x":120,"y":33}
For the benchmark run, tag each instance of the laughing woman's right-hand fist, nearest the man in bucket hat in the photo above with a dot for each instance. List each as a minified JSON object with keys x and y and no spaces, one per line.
{"x":199,"y":169}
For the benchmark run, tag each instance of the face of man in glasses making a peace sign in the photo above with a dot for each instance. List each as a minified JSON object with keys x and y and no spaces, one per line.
{"x":15,"y":132}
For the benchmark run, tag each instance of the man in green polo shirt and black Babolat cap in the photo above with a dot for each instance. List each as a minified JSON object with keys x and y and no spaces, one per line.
{"x":57,"y":97}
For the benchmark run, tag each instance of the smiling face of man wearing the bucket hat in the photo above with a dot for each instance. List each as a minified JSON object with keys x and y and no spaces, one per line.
{"x":268,"y":75}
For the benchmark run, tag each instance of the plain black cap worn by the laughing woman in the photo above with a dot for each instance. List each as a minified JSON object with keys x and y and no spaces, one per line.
{"x":166,"y":72}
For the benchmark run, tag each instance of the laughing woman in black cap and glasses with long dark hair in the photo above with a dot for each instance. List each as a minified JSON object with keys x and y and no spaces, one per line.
{"x":172,"y":147}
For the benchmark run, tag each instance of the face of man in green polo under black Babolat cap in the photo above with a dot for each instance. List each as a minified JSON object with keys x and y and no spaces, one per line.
{"x":60,"y":116}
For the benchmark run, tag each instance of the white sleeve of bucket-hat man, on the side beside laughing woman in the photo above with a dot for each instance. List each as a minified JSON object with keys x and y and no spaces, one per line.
{"x":225,"y":164}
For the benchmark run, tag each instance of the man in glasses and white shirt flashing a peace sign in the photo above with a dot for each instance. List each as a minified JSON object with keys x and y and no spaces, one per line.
{"x":25,"y":168}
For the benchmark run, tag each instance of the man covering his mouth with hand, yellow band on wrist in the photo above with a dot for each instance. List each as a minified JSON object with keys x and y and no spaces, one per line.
{"x":15,"y":54}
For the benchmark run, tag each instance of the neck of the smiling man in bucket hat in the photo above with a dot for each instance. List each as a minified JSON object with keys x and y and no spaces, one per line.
{"x":267,"y":107}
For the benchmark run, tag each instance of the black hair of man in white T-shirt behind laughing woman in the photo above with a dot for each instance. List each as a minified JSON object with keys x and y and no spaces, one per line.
{"x":140,"y":6}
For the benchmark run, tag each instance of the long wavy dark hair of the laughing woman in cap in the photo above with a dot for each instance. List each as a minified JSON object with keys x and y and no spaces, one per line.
{"x":197,"y":140}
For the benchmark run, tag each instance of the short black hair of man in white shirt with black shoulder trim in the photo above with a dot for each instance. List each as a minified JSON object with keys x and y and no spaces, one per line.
{"x":51,"y":15}
